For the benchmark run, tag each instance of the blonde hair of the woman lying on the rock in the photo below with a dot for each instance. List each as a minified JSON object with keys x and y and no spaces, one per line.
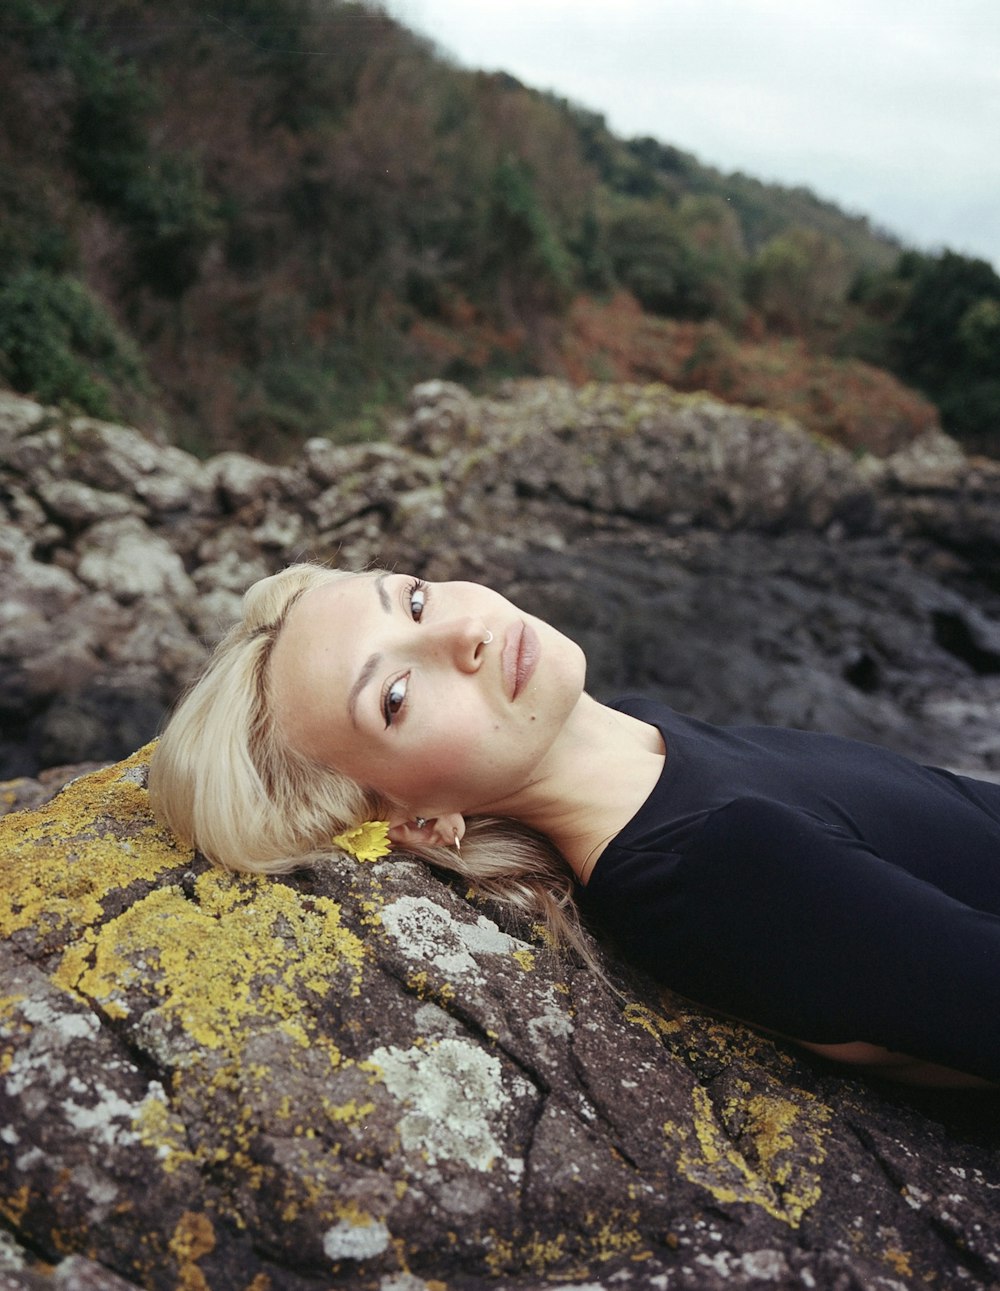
{"x":225,"y":782}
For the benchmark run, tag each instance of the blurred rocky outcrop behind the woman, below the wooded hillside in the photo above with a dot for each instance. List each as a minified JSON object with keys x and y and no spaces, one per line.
{"x":718,"y":557}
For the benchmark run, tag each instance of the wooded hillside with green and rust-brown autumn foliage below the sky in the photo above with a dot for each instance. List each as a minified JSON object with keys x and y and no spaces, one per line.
{"x":252,"y":223}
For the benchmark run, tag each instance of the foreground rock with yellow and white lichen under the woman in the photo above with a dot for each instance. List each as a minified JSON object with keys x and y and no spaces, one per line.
{"x":357,"y":1079}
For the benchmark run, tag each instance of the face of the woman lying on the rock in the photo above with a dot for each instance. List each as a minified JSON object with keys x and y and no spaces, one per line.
{"x":445,"y":698}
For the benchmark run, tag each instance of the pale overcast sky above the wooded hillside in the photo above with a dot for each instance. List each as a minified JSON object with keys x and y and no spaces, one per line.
{"x":888,"y":108}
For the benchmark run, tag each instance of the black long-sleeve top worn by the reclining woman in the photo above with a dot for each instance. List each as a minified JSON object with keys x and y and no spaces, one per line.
{"x":821,"y":888}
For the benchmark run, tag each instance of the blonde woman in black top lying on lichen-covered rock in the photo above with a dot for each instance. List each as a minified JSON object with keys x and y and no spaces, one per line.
{"x":821,"y":889}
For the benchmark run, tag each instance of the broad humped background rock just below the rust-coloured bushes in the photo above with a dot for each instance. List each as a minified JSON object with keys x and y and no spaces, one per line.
{"x":669,"y":460}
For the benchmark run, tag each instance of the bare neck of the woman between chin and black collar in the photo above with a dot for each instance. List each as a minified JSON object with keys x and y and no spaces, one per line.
{"x":599,"y":774}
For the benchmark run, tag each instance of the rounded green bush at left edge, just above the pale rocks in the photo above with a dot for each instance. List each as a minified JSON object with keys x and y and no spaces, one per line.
{"x":59,"y":344}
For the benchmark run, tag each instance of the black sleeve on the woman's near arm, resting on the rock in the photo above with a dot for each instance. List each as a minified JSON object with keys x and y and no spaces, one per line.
{"x":786,"y":921}
